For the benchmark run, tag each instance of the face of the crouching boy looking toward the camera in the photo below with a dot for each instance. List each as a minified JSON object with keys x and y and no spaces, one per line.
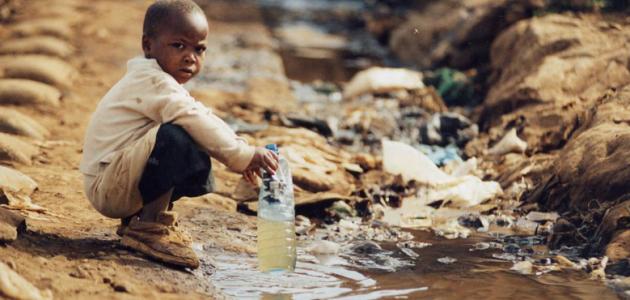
{"x":179,"y":46}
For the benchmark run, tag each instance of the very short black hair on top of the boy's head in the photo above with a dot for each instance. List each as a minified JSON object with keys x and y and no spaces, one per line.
{"x":158,"y":14}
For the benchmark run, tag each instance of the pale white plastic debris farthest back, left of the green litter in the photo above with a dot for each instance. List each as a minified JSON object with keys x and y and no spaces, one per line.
{"x":379,"y":80}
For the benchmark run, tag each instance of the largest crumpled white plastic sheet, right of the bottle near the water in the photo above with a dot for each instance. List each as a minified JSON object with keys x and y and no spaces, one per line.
{"x":461,"y":191}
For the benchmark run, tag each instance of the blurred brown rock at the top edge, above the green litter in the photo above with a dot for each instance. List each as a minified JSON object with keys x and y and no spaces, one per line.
{"x":456,"y":33}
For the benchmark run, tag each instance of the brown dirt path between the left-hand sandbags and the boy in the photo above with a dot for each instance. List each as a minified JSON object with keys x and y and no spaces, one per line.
{"x":72,"y":251}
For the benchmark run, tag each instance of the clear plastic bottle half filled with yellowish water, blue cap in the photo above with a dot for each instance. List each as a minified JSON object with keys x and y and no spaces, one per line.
{"x":276,"y":220}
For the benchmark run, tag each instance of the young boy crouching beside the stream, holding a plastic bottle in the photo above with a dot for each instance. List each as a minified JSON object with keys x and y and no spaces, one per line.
{"x":148,"y":142}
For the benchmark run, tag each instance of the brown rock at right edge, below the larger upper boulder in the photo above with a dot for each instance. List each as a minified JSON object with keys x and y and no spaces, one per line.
{"x":588,"y":182}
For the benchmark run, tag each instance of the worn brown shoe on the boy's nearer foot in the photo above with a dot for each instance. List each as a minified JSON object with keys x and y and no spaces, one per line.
{"x":162,"y":242}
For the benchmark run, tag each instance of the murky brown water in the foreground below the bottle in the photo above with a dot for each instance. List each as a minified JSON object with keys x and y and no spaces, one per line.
{"x":393,"y":274}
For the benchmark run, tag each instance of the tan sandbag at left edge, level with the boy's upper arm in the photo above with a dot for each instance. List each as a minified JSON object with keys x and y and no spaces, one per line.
{"x":14,"y":122}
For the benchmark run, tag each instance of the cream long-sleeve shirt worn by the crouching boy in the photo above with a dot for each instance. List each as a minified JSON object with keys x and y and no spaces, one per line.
{"x":147,"y":97}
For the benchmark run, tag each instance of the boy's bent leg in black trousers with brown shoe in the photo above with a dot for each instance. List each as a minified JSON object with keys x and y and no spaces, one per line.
{"x":176,"y":167}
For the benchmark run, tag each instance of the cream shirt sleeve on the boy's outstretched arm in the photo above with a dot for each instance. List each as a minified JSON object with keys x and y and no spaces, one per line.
{"x":174,"y":104}
